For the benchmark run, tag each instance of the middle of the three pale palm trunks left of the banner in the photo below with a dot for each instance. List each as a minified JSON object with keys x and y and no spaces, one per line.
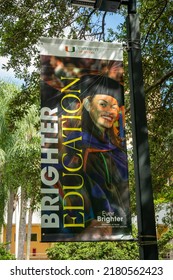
{"x":22,"y":225}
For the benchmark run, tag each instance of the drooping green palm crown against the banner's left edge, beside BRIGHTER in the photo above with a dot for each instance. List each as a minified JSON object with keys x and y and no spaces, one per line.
{"x":25,"y":154}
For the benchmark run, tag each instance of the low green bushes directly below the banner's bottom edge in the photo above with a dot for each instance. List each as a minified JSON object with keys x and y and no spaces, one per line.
{"x":93,"y":251}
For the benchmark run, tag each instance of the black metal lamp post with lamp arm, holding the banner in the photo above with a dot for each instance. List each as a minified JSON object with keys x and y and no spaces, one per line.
{"x":144,"y":194}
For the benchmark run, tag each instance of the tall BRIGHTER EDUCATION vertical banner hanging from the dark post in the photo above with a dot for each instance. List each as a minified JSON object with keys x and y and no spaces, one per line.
{"x":84,"y":167}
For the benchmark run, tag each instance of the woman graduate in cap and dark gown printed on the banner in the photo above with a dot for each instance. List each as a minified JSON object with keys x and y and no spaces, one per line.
{"x":104,"y":168}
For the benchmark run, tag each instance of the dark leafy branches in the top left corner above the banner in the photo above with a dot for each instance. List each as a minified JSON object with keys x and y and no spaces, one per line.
{"x":23,"y":22}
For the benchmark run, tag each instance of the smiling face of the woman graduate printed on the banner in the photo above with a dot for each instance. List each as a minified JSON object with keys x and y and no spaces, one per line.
{"x":103,"y":110}
